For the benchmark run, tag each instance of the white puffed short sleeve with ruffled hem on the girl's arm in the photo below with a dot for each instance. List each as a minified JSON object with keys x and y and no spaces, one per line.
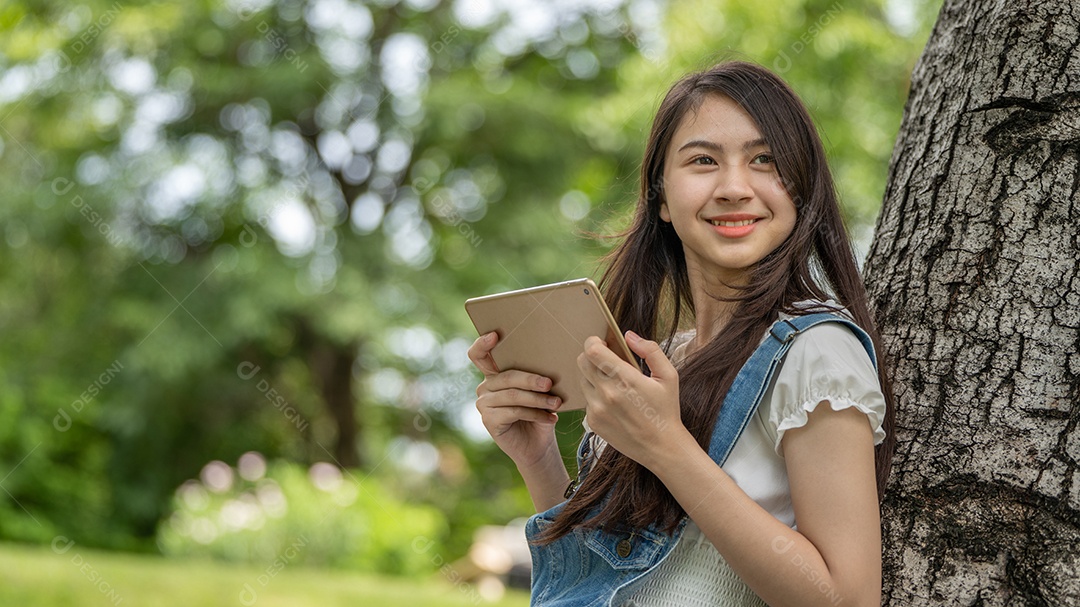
{"x":826,"y":365}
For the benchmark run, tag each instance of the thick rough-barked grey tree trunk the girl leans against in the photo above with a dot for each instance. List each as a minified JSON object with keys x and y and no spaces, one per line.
{"x":975,"y":278}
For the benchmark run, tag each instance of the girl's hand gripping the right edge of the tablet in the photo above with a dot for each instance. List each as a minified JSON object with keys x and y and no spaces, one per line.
{"x":638,"y":415}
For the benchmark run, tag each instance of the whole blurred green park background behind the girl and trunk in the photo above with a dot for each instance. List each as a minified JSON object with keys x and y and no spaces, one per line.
{"x":236,"y":238}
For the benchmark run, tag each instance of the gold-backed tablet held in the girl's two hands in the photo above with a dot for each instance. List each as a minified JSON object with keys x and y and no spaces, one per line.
{"x":543,"y":330}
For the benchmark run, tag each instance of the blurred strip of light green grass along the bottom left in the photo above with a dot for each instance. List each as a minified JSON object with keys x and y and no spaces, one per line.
{"x":32,"y":577}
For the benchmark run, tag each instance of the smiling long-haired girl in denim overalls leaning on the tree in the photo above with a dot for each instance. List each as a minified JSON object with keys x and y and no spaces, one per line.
{"x":741,"y":469}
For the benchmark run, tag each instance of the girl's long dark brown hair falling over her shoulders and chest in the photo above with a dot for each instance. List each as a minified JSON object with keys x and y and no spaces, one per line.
{"x":649,"y":290}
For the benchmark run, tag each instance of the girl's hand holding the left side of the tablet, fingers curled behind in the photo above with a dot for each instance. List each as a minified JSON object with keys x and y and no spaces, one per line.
{"x":516,"y":408}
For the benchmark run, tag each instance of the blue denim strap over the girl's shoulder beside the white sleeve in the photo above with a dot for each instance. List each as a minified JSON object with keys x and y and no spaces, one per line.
{"x":753,"y":381}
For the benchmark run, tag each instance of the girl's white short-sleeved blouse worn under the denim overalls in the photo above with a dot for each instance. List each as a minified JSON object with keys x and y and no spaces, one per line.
{"x":827,"y":363}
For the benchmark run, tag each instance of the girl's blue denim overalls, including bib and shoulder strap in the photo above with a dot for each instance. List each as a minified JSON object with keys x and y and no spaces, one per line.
{"x":602,"y":568}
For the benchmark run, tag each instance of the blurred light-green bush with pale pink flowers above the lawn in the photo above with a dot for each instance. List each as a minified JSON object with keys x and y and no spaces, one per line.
{"x":287,"y":514}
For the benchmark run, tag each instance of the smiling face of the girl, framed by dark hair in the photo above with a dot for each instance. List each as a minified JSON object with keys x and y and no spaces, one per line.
{"x":723,"y":194}
